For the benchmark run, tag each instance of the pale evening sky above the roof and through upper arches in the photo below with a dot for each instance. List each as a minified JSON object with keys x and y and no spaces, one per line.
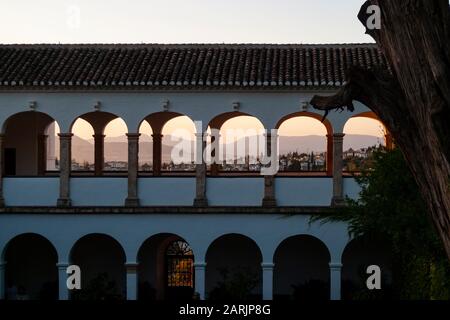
{"x":187,"y":21}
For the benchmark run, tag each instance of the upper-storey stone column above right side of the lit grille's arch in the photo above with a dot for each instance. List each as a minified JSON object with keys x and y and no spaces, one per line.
{"x":200,"y":172}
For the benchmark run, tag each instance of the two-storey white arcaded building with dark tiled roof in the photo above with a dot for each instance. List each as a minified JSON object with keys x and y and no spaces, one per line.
{"x":160,"y":235}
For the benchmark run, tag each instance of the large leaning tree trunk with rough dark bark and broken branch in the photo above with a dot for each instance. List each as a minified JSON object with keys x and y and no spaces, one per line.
{"x":413,"y":97}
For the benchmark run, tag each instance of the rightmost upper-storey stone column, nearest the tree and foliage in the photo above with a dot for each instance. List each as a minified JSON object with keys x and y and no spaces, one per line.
{"x":338,"y":182}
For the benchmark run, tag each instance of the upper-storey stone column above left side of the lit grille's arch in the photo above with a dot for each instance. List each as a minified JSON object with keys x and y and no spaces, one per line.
{"x":133,"y":160}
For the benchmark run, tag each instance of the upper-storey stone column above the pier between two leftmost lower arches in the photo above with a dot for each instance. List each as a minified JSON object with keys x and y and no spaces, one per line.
{"x":65,"y":163}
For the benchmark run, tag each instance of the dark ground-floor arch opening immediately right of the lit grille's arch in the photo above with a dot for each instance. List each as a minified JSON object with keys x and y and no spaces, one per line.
{"x":233,"y":260}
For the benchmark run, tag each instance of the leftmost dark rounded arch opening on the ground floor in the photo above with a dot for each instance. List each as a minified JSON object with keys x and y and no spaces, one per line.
{"x":30,"y":271}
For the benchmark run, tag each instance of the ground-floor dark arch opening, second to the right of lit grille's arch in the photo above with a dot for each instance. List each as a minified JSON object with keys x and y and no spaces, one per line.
{"x":301,"y":269}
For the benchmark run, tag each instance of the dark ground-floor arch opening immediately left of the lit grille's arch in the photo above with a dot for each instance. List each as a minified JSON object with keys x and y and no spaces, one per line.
{"x":101,"y":259}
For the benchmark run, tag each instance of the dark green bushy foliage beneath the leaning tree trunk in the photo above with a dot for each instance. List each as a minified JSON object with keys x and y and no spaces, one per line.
{"x":390,"y":208}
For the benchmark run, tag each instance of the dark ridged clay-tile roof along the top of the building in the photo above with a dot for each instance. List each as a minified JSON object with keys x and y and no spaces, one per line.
{"x":182,"y":66}
